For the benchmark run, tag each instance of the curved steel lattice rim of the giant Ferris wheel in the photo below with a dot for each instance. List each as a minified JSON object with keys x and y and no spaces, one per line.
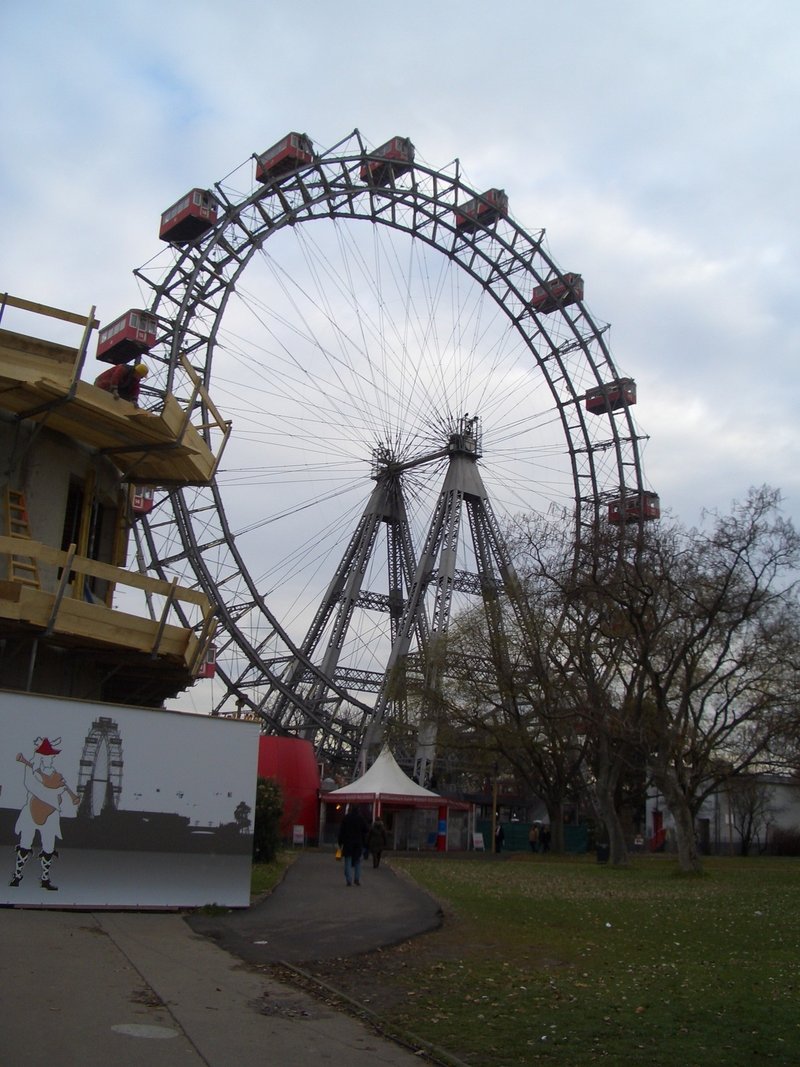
{"x":507,"y":263}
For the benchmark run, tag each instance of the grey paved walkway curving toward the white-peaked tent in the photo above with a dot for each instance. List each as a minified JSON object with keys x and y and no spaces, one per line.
{"x":157,"y":991}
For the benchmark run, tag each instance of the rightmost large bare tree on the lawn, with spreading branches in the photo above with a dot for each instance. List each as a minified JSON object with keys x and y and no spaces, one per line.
{"x":710,"y":624}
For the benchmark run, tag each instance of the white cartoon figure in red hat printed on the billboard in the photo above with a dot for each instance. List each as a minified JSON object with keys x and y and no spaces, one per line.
{"x":41,"y":813}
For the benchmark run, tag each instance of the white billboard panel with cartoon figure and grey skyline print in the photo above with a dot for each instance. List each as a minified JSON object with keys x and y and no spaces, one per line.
{"x":109,"y":806}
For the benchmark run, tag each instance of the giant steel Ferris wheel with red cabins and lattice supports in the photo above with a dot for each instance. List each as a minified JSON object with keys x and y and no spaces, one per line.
{"x":399,"y":359}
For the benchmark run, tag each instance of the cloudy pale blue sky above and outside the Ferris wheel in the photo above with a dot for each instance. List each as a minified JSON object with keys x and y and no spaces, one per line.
{"x":657,"y":142}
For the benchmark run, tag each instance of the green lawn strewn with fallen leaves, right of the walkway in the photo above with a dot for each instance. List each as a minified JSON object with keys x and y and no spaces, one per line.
{"x":559,"y":961}
